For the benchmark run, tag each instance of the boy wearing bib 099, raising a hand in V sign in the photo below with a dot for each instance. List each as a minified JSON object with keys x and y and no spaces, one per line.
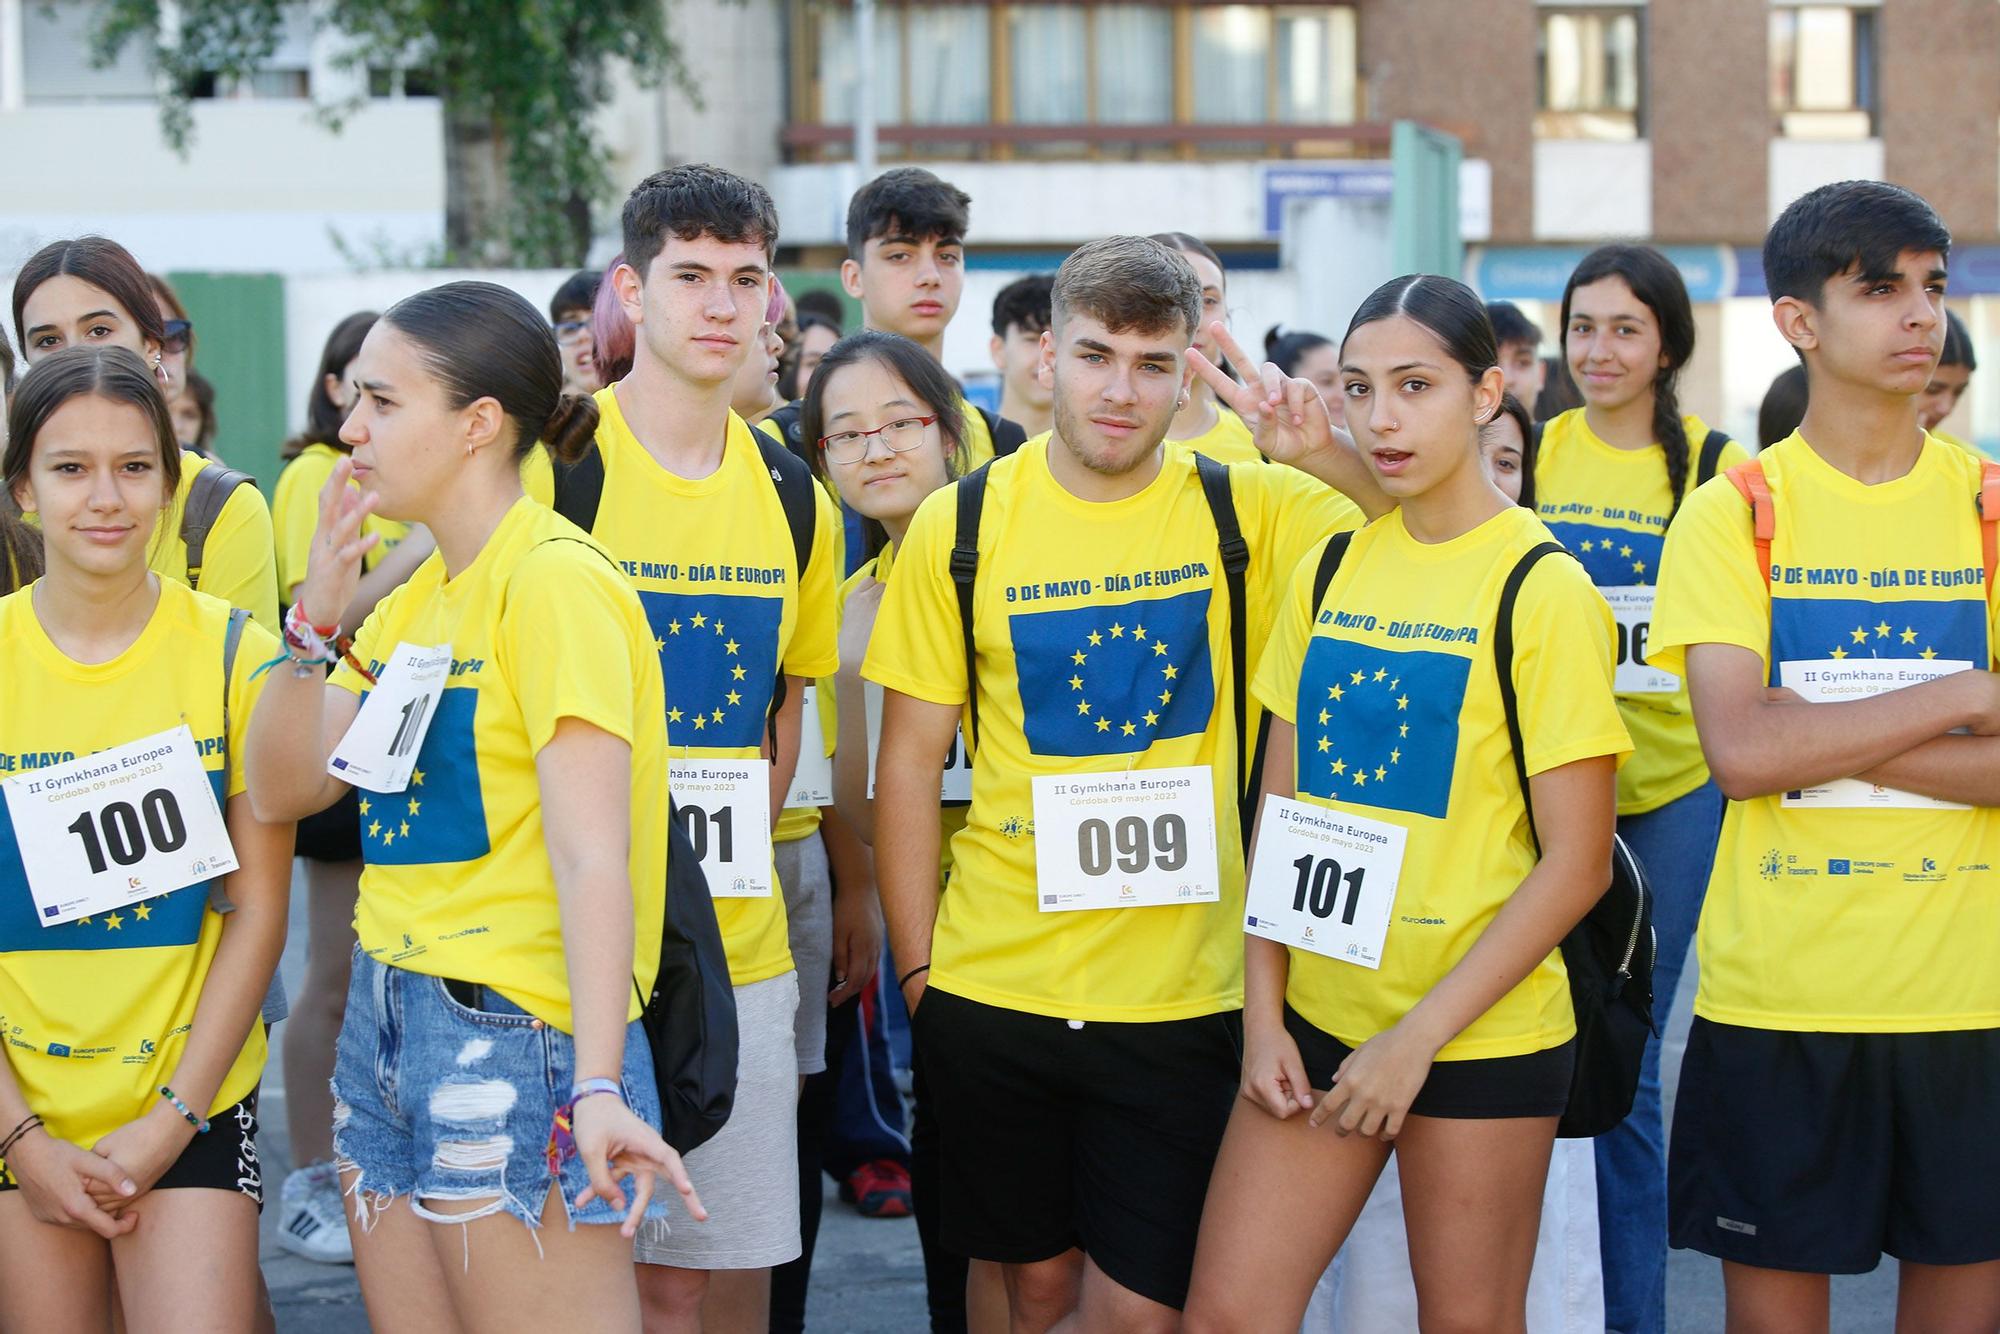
{"x":1083,"y":1063}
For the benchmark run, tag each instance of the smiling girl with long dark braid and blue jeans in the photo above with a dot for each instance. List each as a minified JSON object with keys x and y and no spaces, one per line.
{"x":1609,"y":479}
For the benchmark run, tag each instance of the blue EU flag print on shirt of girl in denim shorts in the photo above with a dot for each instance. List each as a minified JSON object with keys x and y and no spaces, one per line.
{"x":441,"y":817}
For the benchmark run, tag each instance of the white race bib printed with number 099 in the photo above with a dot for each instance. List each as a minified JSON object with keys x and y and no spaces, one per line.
{"x":1143,"y":839}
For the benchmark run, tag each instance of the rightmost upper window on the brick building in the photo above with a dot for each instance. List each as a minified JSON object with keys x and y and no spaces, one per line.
{"x":1823,"y":71}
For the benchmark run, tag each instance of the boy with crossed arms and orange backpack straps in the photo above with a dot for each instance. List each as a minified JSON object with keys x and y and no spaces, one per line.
{"x":1843,"y":1075}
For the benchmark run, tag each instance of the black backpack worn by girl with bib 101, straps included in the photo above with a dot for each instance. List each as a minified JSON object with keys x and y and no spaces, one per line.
{"x":1613,"y":951}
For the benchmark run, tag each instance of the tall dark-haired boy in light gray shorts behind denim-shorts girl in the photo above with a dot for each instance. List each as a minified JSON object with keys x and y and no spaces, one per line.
{"x":695,"y":515}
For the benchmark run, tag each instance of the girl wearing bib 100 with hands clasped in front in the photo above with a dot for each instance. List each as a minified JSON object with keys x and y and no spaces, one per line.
{"x":135,"y":1049}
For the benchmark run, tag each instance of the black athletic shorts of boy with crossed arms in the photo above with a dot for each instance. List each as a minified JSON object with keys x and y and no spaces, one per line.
{"x":1823,"y":1151}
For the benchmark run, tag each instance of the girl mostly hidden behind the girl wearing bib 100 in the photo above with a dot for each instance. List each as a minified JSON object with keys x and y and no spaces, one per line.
{"x":93,"y":293}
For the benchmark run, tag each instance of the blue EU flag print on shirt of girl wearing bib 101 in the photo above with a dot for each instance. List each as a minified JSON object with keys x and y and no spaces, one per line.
{"x":1379,"y":727}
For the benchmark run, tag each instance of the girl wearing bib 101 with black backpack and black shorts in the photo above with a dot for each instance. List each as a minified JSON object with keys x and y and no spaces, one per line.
{"x":1457,"y":1049}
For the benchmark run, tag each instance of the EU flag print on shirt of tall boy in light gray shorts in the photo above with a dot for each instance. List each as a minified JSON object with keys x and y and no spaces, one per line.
{"x":719,"y":655}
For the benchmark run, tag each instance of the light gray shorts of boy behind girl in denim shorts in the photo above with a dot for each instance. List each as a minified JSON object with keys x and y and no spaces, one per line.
{"x":749,"y":1173}
